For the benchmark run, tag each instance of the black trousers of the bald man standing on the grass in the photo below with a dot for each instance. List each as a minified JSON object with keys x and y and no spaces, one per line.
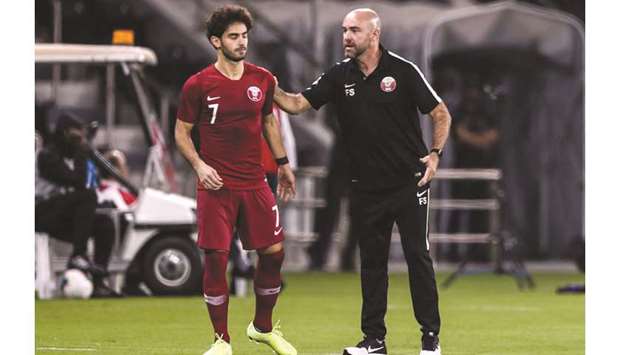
{"x":373,"y":217}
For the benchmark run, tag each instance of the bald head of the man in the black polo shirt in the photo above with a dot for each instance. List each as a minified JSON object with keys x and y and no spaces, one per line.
{"x":361,"y":31}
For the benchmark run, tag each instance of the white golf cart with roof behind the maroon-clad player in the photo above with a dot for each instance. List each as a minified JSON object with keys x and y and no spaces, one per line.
{"x":155,"y":237}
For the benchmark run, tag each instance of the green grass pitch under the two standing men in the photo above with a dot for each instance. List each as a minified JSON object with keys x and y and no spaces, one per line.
{"x":481,"y":314}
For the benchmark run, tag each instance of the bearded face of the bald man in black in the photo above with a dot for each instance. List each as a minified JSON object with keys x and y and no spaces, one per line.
{"x":357,"y":34}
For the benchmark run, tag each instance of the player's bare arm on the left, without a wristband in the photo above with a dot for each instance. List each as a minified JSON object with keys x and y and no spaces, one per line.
{"x":207,"y":176}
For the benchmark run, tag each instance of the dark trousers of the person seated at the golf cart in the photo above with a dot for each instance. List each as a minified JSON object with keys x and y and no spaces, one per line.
{"x":71,"y":217}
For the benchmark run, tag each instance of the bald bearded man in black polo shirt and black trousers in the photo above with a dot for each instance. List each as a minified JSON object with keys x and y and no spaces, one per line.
{"x":377,"y":96}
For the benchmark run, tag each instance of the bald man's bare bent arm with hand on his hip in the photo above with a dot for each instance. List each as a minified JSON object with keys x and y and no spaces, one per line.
{"x":441,"y":119}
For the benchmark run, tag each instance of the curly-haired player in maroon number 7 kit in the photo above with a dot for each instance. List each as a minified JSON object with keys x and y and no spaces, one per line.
{"x":231,"y":103}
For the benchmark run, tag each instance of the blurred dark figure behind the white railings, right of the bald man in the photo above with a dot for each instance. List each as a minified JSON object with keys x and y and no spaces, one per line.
{"x":476,"y":139}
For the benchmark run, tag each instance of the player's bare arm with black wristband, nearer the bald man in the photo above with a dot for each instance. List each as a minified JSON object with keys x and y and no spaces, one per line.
{"x":286,"y":178}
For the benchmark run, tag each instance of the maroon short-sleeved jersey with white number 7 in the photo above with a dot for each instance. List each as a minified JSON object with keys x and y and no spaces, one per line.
{"x":229,"y":114}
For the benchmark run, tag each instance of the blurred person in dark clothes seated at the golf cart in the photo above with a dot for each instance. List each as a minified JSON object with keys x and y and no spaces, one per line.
{"x":66,"y":200}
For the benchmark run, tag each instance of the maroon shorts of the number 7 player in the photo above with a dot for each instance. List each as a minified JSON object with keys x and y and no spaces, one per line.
{"x":254,"y":213}
